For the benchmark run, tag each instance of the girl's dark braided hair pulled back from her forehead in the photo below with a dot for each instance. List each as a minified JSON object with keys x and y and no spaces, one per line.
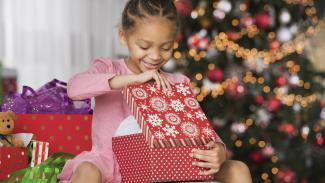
{"x":135,"y":9}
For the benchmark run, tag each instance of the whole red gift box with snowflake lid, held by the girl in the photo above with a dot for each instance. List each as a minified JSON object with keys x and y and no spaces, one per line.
{"x":172,"y":125}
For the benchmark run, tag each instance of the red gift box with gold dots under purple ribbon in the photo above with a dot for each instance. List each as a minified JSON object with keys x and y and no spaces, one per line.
{"x":65,"y":133}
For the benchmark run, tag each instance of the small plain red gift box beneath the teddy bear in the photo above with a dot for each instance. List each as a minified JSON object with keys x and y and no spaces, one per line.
{"x":12,"y":159}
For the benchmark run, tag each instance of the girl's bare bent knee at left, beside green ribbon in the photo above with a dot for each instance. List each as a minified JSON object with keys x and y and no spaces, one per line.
{"x":88,"y":170}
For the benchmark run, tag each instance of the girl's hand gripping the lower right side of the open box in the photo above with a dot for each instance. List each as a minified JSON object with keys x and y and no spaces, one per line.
{"x":212,"y":158}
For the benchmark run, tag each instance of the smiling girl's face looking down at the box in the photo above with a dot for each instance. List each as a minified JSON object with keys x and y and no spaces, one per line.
{"x":150,"y":43}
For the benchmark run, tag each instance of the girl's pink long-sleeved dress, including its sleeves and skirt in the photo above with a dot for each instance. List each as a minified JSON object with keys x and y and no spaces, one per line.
{"x":110,"y":110}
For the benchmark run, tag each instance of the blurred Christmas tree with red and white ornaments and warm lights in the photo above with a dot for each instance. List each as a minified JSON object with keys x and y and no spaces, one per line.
{"x":250,"y":73}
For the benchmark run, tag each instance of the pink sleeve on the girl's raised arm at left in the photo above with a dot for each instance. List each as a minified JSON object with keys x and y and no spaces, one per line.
{"x":92,"y":82}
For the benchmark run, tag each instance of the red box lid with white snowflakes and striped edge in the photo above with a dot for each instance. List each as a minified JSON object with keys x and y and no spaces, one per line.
{"x":169,"y":118}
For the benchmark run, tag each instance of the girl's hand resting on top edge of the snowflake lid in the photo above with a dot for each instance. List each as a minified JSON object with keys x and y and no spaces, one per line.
{"x":162,"y":81}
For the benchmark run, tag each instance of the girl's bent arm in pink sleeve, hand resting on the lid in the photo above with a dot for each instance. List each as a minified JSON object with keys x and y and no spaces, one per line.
{"x":102,"y":77}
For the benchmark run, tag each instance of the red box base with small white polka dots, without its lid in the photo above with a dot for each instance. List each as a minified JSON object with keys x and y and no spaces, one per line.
{"x":140,"y":163}
